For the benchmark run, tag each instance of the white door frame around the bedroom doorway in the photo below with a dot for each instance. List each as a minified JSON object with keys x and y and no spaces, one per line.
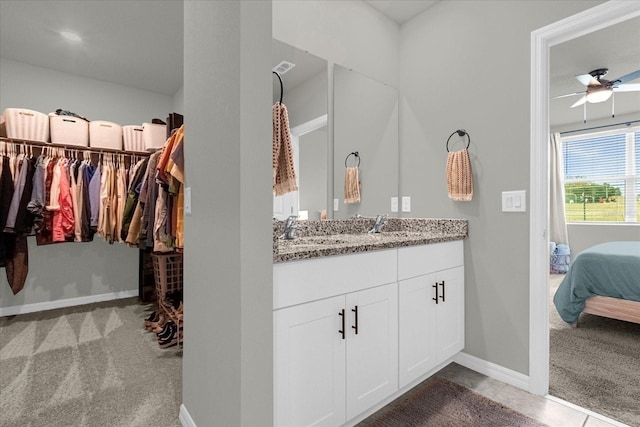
{"x":591,"y":20}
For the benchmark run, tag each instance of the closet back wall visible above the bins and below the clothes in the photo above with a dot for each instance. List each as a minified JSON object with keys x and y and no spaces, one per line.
{"x":73,"y":270}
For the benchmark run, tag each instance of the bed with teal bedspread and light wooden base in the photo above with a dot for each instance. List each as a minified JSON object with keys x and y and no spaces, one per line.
{"x":603,"y":280}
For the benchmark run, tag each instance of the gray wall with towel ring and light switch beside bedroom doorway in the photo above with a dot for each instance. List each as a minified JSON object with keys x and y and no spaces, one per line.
{"x":476,"y":76}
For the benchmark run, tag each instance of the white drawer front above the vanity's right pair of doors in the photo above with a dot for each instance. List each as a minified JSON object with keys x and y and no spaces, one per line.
{"x":417,"y":260}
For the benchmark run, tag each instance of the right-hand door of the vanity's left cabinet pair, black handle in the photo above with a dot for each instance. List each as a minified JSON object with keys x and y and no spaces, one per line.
{"x":372,"y":353}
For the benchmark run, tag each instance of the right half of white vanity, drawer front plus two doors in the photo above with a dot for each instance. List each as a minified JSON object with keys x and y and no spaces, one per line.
{"x":431,"y":307}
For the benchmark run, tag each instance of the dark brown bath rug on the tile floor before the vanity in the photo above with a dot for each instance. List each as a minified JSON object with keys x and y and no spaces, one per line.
{"x":441,"y":403}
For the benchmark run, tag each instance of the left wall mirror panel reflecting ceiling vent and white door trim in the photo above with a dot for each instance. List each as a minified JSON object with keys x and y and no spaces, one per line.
{"x":305,"y":94}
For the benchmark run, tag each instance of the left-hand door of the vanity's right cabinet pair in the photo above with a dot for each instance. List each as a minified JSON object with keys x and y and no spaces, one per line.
{"x":417,"y":327}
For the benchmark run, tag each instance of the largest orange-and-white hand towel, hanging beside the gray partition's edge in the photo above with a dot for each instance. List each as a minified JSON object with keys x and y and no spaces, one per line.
{"x":284,"y":174}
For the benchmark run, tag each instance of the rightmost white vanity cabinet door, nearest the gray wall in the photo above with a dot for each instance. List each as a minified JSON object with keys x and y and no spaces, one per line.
{"x":450,"y":313}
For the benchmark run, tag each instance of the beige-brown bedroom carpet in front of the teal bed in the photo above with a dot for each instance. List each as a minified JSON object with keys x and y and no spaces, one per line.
{"x":597,"y":364}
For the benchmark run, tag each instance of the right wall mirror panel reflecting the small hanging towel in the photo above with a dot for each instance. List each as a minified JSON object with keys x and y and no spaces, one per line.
{"x":365,"y":117}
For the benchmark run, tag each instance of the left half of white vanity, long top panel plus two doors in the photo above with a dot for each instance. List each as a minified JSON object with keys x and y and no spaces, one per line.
{"x":335,"y":356}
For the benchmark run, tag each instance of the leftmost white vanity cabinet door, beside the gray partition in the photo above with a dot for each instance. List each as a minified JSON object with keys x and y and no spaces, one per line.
{"x":309,"y":364}
